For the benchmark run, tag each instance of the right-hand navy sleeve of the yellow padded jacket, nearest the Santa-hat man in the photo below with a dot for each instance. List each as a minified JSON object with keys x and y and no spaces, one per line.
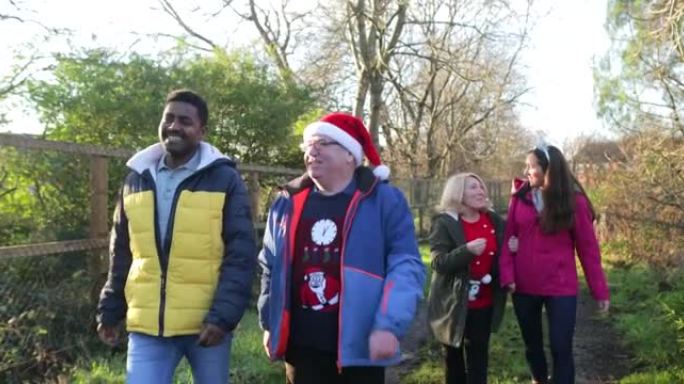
{"x":239,"y":260}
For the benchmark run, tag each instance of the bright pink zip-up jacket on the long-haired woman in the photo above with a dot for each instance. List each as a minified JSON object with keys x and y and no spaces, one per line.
{"x":545,"y":263}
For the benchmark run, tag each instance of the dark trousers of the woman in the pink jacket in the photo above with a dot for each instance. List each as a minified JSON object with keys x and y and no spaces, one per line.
{"x":561,"y":312}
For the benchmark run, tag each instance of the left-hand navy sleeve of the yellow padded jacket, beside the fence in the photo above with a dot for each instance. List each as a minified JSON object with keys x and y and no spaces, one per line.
{"x":112,"y":307}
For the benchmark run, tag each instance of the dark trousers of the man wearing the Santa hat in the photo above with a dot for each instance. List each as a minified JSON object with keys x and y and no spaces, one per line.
{"x":309,"y":366}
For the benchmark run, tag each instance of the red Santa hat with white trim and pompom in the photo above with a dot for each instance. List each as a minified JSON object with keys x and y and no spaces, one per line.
{"x":350,"y":132}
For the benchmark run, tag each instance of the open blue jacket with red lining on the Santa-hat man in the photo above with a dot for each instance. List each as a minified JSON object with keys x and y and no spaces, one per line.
{"x":382,"y":274}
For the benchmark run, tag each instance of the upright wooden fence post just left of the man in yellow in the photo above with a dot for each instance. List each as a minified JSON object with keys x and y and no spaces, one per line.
{"x":98,"y":262}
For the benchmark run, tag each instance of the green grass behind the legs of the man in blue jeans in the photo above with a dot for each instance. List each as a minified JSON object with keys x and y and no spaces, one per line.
{"x":248,"y":362}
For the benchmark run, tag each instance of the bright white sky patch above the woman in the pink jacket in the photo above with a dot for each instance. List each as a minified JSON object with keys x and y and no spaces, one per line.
{"x":563,"y":47}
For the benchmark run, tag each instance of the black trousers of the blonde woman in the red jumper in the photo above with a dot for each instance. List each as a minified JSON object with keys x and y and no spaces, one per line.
{"x":468,"y":363}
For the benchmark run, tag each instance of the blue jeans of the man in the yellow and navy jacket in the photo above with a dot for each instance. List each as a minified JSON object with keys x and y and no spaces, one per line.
{"x":153,"y":359}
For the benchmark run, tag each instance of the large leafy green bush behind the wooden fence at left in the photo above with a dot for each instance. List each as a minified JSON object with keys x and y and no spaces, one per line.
{"x":102,"y":99}
